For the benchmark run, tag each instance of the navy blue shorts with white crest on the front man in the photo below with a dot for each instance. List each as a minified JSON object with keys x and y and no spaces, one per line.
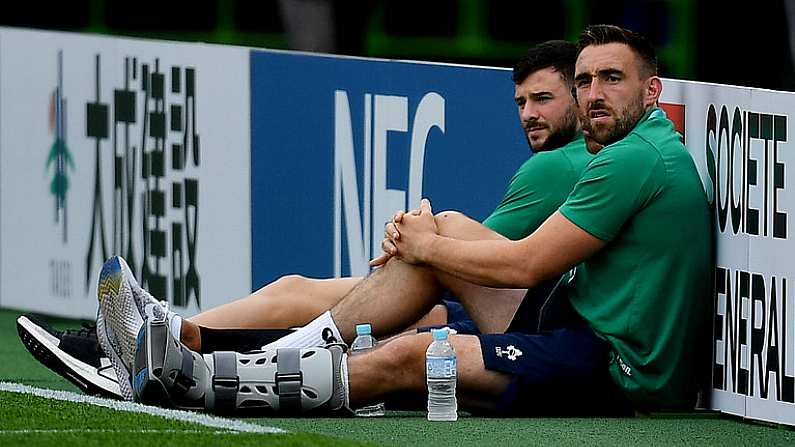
{"x":558,"y":365}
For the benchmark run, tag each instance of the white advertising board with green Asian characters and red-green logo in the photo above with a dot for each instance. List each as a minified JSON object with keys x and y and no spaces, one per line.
{"x":122,"y":146}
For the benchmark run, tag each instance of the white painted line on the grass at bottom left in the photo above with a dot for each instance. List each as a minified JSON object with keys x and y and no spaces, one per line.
{"x":178,"y":415}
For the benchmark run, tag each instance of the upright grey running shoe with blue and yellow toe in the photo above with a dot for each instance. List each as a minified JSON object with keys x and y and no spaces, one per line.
{"x":123,"y":308}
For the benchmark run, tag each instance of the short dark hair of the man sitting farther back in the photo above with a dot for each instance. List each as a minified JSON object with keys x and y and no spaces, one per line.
{"x":558,"y":54}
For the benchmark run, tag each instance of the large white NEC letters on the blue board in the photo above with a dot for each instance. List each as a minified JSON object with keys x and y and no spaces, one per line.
{"x":364,"y":219}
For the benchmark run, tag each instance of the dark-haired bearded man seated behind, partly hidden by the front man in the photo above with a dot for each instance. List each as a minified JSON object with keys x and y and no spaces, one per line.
{"x":543,"y":82}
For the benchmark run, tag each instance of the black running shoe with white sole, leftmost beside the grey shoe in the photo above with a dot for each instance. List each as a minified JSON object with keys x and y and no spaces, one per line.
{"x":74,"y":354}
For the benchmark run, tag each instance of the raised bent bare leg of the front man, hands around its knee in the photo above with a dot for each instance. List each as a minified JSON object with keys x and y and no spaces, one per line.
{"x":397,"y":294}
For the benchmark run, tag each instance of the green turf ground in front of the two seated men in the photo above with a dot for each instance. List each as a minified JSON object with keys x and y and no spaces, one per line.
{"x":67,"y":424}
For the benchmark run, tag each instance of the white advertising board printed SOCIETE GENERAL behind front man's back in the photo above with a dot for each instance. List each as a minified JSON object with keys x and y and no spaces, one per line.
{"x":739,"y":140}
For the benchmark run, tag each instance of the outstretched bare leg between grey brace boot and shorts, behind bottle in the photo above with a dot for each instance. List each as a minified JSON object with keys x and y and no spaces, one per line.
{"x":399,"y":366}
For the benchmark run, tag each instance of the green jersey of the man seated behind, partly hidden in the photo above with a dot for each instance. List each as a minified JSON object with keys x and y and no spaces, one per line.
{"x":538,"y":188}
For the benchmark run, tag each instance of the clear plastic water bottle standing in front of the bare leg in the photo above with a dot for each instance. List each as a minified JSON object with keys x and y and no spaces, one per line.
{"x":441,"y":375}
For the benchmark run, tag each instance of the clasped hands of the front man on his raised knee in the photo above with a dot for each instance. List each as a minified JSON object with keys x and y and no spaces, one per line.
{"x":408,"y":236}
